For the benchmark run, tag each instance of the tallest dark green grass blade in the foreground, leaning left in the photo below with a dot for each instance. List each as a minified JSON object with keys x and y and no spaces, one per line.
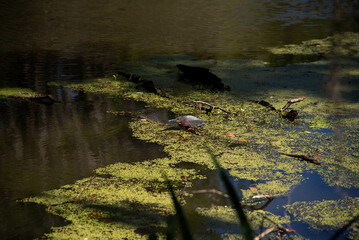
{"x":243,"y":221}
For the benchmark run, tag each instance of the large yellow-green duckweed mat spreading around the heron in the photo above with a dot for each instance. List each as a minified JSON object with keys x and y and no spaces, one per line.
{"x":130,"y":200}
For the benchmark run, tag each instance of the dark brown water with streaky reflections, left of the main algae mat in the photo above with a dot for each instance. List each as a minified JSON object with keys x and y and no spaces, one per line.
{"x":43,"y":147}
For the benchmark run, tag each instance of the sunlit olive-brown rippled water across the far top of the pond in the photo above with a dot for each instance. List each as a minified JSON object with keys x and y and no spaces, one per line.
{"x":124,"y":29}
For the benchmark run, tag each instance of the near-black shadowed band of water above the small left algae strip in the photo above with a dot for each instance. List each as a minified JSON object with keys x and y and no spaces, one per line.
{"x":34,"y":69}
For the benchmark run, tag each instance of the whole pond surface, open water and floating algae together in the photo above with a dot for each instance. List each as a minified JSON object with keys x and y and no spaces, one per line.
{"x":44,"y":147}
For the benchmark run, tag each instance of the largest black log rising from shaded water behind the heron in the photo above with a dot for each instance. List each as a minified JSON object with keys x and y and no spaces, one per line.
{"x":201,"y":76}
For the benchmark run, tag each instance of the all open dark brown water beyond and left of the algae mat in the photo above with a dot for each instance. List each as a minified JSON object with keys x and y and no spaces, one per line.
{"x":43,"y":147}
